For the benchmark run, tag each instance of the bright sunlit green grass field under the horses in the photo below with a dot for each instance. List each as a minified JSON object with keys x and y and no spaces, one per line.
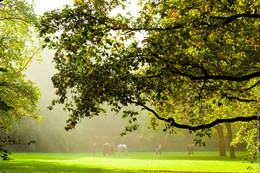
{"x":134,"y":162}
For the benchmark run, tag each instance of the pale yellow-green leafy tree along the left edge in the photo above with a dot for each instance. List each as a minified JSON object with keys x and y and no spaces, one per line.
{"x":18,"y":46}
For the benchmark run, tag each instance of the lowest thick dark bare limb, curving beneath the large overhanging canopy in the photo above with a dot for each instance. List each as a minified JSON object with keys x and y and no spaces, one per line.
{"x":194,"y":128}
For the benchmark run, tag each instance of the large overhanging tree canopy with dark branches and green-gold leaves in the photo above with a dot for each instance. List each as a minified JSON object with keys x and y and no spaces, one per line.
{"x":194,"y":57}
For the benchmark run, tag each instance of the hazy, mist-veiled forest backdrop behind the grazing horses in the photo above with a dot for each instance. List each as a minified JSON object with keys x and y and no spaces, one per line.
{"x":50,"y":135}
